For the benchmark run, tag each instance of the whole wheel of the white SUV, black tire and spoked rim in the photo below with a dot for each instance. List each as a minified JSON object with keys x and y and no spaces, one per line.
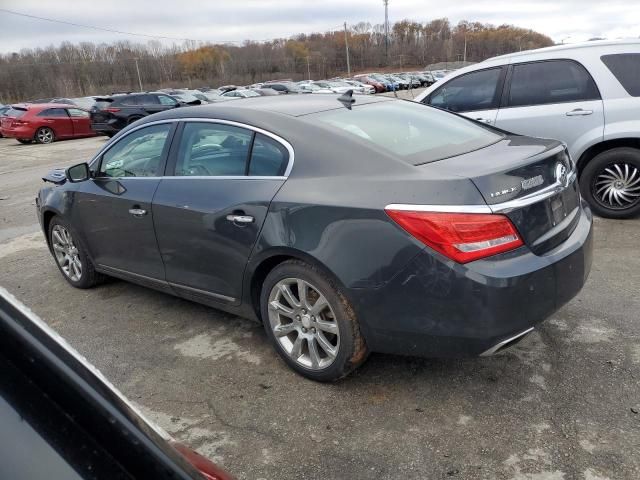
{"x":610,"y":182}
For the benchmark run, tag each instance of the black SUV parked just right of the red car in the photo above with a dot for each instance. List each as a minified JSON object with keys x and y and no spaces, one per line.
{"x":111,"y":114}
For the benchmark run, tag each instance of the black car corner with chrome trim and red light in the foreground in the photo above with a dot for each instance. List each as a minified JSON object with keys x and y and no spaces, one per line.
{"x":61,"y":419}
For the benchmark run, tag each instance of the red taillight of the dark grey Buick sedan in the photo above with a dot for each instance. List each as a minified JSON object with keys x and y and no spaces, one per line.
{"x":463,"y":237}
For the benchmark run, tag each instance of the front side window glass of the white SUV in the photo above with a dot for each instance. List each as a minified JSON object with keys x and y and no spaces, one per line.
{"x":471,"y":91}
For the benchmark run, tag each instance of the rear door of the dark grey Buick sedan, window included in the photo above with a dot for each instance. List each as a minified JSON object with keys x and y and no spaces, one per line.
{"x":209,"y":209}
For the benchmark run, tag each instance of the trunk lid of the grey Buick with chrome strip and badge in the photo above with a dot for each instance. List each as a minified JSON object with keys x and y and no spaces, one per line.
{"x":531,"y":181}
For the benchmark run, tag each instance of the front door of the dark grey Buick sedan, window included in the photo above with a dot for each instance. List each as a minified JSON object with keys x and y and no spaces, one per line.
{"x":113,"y":209}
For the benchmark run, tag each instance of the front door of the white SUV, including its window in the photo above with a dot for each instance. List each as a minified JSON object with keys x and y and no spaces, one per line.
{"x":475,"y":94}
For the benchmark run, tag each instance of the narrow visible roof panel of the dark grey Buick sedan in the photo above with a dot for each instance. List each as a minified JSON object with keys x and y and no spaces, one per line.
{"x":290,"y":105}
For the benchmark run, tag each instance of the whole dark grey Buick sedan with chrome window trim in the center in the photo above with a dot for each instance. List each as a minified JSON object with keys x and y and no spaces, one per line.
{"x":345,"y":227}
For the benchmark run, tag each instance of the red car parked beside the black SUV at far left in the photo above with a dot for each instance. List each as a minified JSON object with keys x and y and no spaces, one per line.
{"x":45,"y":122}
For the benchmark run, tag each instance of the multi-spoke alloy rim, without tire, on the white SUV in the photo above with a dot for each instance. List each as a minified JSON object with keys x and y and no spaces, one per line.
{"x":617,"y":186}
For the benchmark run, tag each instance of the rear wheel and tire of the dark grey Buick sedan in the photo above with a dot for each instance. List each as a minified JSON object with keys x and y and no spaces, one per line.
{"x":310,"y":322}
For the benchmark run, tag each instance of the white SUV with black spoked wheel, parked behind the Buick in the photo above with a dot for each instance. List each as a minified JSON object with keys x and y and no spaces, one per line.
{"x":587,"y":95}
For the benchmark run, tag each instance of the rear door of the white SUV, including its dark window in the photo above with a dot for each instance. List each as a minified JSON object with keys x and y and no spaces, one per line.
{"x":552,"y":99}
